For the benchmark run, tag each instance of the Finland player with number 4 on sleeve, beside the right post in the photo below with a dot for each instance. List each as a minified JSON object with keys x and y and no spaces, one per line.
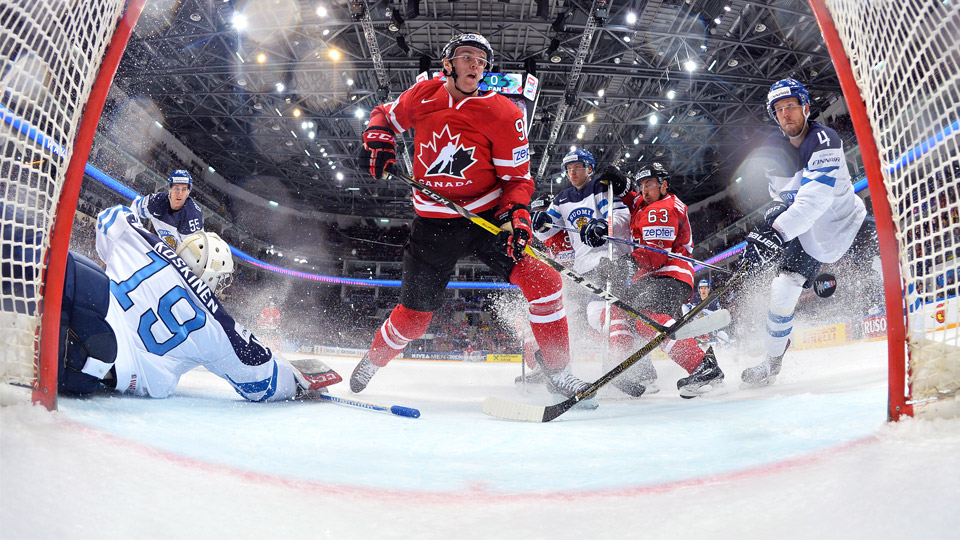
{"x":816,"y":219}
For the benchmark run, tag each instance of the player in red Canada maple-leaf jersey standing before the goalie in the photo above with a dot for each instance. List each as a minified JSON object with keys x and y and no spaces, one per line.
{"x":471,"y":147}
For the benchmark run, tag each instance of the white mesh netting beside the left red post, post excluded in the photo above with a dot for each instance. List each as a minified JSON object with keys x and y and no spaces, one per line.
{"x":50,"y":55}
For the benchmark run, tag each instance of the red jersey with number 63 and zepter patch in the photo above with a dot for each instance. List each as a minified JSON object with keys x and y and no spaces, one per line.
{"x":664,"y":225}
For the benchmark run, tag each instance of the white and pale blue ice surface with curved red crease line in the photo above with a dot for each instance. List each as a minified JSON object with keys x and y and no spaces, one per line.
{"x":810,"y":457}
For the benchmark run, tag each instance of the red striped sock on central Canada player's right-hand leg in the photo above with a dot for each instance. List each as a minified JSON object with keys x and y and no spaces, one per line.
{"x":542,"y":287}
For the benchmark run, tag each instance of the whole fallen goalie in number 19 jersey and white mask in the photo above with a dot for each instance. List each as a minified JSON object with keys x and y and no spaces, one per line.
{"x":154,"y":316}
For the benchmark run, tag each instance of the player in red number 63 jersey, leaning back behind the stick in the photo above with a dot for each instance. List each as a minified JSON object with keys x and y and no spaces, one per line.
{"x":660,"y":284}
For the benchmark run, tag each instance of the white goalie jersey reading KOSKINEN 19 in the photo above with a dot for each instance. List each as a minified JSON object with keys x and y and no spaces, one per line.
{"x":167,"y":321}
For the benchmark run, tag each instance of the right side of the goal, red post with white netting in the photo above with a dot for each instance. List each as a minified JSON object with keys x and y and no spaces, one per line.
{"x":904,"y":60}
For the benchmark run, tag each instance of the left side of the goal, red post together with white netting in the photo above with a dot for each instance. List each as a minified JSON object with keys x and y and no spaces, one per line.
{"x":58,"y":62}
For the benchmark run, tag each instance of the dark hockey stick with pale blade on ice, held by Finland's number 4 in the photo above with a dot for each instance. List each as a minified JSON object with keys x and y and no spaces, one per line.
{"x":512,"y":410}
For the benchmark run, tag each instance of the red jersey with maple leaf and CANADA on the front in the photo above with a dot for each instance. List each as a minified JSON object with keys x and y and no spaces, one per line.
{"x":473,"y":151}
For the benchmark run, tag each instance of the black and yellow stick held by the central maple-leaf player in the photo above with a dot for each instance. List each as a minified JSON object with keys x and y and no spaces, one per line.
{"x":713,"y":321}
